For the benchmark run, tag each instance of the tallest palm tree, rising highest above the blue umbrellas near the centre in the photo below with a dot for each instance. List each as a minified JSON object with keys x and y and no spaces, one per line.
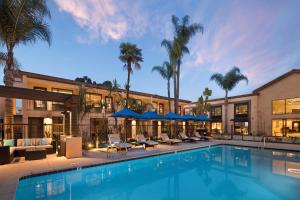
{"x":184,"y":31}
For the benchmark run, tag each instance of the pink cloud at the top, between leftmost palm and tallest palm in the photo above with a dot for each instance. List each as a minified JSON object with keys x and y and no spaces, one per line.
{"x":105,"y":19}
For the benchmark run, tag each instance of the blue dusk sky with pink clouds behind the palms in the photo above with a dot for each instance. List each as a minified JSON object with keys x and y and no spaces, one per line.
{"x":261,"y":37}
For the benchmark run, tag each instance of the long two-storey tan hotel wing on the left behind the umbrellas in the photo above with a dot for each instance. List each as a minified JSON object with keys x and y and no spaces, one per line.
{"x":35,"y":118}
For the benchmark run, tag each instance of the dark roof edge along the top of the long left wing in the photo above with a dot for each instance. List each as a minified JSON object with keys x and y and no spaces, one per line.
{"x":73,"y":82}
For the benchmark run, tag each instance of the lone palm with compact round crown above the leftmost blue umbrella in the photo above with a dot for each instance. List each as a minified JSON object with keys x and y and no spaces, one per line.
{"x":130,"y":54}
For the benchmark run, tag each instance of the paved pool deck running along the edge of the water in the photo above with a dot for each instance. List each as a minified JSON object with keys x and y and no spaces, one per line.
{"x":11,"y":173}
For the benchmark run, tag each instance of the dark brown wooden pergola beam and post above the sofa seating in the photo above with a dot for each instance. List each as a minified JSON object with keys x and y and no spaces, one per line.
{"x":70,"y":101}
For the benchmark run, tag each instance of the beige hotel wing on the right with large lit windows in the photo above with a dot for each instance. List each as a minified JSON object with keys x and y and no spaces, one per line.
{"x":270,"y":110}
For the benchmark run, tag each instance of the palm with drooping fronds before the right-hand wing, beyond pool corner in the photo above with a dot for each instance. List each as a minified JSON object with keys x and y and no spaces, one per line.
{"x":227,"y":82}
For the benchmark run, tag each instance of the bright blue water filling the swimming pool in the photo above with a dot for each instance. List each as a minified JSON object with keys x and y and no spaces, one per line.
{"x":221,"y":172}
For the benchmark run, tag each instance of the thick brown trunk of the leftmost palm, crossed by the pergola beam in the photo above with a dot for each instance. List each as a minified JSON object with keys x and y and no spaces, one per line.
{"x":9,"y":81}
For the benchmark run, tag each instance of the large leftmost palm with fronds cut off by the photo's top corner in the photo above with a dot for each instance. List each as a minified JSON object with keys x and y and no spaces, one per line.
{"x":21,"y":22}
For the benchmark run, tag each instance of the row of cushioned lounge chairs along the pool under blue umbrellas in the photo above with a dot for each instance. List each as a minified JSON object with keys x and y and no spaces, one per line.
{"x":115,"y":141}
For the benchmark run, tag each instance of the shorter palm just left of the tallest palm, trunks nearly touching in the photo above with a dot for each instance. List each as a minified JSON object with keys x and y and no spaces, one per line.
{"x":166,"y":72}
